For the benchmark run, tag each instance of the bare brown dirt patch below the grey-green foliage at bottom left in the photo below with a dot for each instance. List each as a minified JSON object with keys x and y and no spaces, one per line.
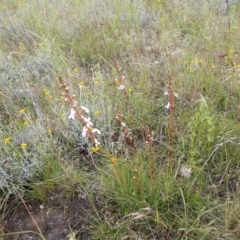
{"x":59,"y":219}
